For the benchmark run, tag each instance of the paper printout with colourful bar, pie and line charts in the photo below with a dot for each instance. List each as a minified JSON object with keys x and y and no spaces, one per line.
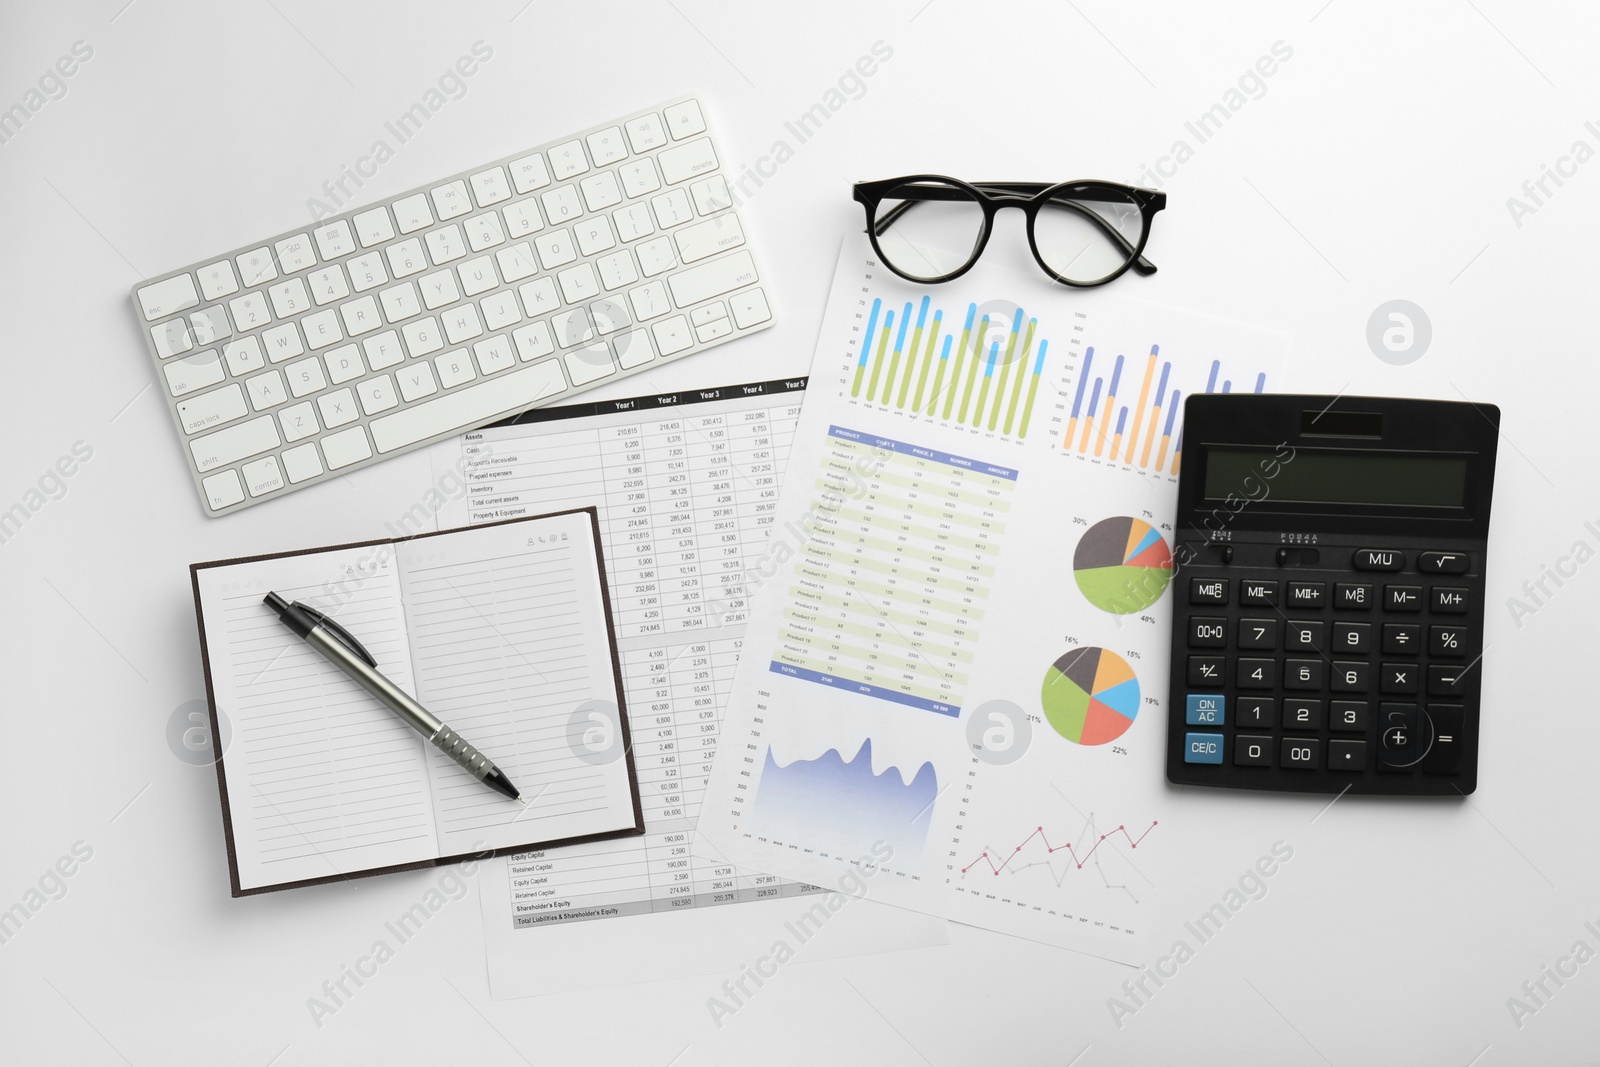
{"x":956,"y":676}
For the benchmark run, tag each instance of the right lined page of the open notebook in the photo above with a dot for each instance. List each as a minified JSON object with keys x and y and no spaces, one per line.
{"x":508,"y":641}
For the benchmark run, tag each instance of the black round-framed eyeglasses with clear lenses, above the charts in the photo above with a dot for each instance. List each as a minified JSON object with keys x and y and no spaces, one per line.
{"x":1082,"y":233}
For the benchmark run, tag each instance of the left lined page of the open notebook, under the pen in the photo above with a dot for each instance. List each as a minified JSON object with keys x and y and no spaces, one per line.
{"x":322,"y":780}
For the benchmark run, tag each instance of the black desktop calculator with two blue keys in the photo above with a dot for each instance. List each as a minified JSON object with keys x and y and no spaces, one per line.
{"x":1329,"y":594}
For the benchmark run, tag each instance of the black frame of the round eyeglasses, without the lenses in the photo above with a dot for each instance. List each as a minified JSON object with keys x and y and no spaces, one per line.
{"x":1031,"y":198}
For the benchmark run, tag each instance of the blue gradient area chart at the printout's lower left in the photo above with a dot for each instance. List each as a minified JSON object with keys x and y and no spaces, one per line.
{"x":841,"y":807}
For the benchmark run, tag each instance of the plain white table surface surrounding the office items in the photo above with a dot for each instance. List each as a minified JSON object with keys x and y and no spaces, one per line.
{"x":1374,"y":166}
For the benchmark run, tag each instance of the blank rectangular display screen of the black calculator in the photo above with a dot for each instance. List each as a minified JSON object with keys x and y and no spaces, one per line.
{"x":1338,"y":478}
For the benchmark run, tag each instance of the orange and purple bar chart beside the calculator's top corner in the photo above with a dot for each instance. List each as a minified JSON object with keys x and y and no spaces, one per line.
{"x":1135,"y":417}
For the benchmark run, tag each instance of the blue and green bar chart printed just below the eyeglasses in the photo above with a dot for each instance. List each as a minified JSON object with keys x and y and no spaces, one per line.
{"x":983,"y":375}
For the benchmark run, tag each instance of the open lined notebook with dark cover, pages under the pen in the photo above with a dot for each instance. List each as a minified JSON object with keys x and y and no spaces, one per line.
{"x":503,"y":631}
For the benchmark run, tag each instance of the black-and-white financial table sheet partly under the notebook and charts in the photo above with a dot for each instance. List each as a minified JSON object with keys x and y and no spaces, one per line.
{"x":687,"y":489}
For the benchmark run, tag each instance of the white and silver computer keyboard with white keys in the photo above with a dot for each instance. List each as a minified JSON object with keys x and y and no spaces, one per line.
{"x":506,"y":287}
